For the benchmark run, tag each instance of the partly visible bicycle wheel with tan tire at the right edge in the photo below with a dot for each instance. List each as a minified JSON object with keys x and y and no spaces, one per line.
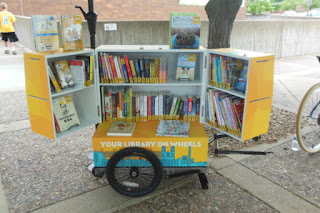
{"x":308,"y":120}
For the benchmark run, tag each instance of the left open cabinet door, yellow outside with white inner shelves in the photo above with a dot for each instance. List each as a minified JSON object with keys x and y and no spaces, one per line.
{"x":40,"y":95}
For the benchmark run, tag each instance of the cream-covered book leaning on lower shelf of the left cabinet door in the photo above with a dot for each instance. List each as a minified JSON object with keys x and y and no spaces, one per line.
{"x":65,"y":112}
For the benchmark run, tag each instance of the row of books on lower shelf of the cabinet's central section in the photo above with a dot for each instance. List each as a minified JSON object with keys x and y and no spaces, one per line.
{"x":144,"y":106}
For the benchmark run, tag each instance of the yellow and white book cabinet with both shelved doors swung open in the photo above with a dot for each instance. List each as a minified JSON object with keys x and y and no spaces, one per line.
{"x":87,"y":100}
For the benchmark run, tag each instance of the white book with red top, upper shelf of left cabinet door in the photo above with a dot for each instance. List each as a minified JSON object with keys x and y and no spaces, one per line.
{"x":78,"y":70}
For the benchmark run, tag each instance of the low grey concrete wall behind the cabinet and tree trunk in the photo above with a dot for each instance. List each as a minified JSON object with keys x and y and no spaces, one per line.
{"x":284,"y":38}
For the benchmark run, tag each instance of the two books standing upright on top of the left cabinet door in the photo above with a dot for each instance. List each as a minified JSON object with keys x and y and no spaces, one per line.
{"x":46,"y":35}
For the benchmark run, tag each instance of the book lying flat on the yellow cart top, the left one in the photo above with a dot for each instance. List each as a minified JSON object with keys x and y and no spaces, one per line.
{"x":121,"y":128}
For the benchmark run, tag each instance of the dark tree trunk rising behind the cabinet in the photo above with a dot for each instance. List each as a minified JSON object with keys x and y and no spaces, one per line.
{"x":221,"y":14}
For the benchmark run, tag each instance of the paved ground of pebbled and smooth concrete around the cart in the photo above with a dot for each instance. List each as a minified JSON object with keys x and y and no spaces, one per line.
{"x":284,"y":181}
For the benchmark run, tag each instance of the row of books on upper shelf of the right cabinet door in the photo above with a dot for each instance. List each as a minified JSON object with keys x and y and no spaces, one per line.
{"x":228,"y":73}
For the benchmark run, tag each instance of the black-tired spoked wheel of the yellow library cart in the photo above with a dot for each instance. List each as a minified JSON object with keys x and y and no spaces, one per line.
{"x":143,"y":178}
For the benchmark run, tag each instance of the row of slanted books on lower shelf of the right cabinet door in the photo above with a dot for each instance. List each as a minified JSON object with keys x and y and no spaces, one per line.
{"x":224,"y":111}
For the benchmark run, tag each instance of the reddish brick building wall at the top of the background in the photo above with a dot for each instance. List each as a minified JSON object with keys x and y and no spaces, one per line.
{"x":110,"y":9}
